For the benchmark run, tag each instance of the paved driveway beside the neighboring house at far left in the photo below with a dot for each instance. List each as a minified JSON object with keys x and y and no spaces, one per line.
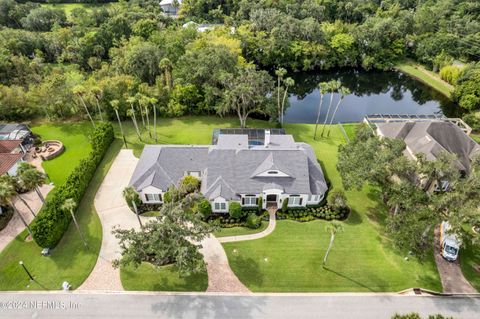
{"x":16,"y":226}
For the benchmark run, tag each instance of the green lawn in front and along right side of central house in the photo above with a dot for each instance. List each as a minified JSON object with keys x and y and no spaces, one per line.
{"x":362,"y":258}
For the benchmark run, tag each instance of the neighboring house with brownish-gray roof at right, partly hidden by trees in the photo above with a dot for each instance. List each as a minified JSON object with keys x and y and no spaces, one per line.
{"x":432,"y":138}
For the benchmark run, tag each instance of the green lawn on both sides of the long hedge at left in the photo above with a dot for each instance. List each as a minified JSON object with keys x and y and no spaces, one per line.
{"x":69,"y":261}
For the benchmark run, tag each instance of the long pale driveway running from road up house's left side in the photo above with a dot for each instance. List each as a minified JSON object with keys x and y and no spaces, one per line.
{"x":112,"y":210}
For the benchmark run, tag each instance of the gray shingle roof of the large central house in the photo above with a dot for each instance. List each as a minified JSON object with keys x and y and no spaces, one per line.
{"x":228,"y":172}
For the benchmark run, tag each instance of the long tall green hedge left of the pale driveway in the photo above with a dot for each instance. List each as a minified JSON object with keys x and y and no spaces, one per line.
{"x":52,"y":222}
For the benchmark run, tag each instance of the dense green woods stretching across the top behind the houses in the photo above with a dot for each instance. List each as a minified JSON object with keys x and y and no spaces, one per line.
{"x":56,"y":64}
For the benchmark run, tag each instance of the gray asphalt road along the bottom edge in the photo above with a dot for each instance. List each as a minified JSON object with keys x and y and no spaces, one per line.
{"x":125,"y":305}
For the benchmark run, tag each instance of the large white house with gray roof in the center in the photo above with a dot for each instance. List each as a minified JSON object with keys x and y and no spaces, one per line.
{"x":240,"y":165}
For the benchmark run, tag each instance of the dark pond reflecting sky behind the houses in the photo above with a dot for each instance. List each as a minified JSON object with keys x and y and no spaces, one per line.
{"x":372,"y":92}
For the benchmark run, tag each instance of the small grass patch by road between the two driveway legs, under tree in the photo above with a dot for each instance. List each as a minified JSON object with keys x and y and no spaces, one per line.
{"x":166,"y":278}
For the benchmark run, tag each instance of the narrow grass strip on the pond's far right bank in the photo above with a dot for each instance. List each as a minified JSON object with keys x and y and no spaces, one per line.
{"x":428,"y":77}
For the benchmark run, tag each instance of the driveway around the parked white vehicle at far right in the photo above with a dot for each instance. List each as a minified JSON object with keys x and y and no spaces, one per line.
{"x":450,"y":273}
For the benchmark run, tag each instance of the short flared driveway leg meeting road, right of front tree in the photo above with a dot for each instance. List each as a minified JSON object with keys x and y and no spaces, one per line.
{"x":220,"y":276}
